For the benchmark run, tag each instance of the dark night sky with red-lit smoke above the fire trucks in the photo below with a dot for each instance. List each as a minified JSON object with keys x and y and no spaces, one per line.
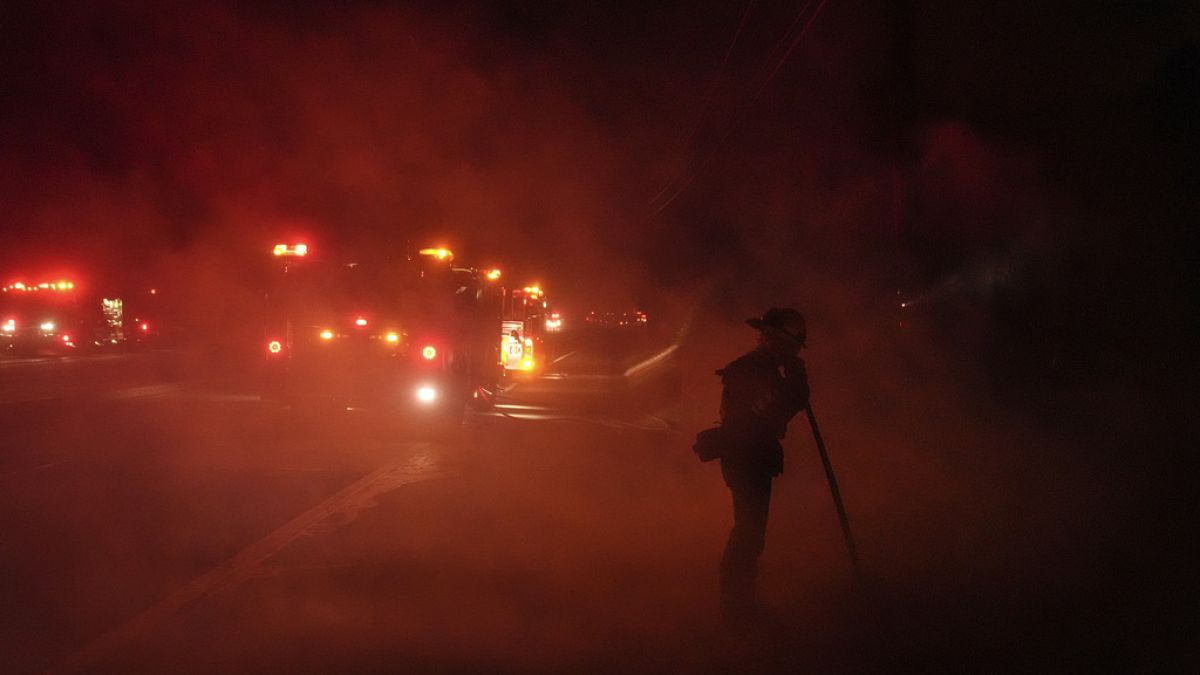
{"x":1034,"y":152}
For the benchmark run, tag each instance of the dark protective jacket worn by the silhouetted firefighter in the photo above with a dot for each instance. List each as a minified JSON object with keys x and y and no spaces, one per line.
{"x":760,"y":397}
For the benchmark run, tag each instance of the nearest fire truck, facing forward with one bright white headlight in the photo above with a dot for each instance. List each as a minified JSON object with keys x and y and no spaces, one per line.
{"x":412,"y":336}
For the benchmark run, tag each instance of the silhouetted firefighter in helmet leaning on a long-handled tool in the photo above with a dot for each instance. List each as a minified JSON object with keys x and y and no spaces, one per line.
{"x":763,"y":392}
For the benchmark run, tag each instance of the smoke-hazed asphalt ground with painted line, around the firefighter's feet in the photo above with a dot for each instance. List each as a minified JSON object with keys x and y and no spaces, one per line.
{"x":157,"y":516}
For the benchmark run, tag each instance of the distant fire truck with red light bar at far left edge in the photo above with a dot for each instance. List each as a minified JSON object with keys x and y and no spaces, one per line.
{"x":57,"y":318}
